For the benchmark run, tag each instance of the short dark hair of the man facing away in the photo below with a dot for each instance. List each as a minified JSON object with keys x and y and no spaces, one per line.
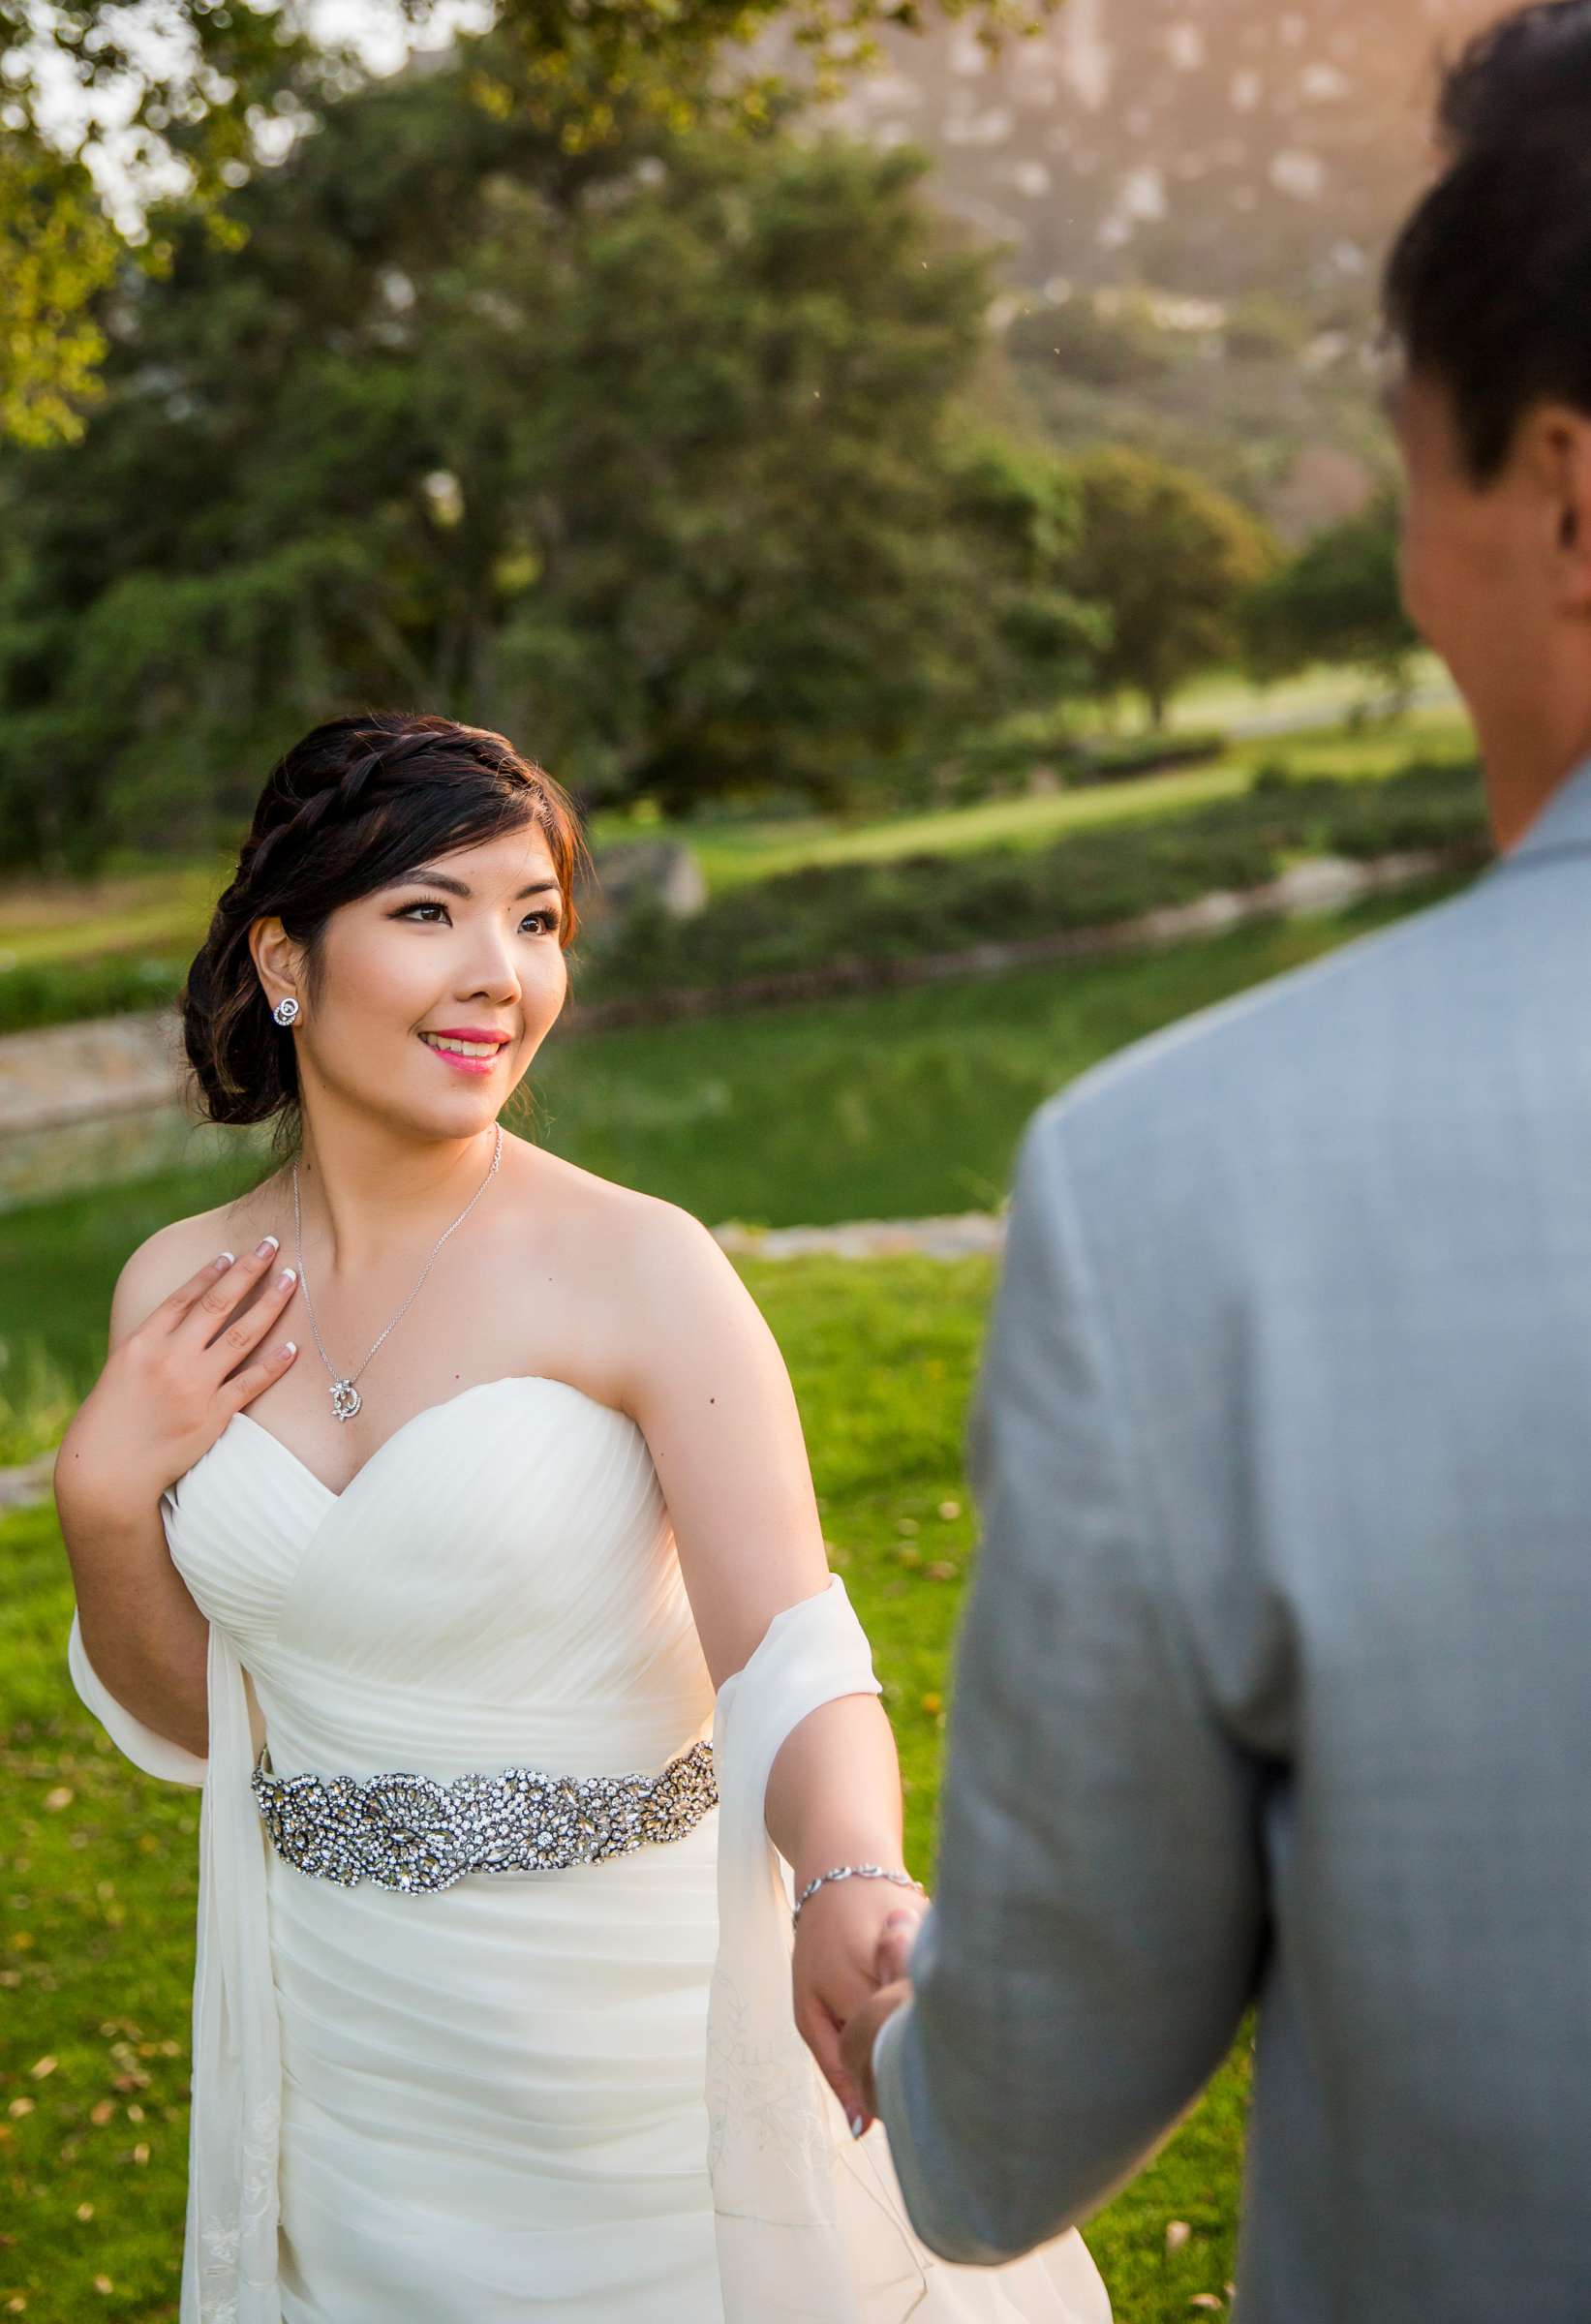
{"x":1490,"y":282}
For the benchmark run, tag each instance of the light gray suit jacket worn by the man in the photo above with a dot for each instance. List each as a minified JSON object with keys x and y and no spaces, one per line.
{"x":1274,"y":1677}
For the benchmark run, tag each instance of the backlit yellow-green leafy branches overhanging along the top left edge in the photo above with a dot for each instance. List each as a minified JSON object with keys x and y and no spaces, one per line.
{"x":206,"y":89}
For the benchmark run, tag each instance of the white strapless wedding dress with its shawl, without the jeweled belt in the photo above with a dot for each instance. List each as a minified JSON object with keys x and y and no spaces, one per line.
{"x":570,"y":2095}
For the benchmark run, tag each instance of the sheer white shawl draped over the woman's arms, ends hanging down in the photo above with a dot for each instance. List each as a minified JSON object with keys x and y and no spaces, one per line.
{"x":809,"y":2223}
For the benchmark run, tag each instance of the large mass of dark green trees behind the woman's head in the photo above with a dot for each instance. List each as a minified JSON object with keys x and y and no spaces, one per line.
{"x":649,"y":459}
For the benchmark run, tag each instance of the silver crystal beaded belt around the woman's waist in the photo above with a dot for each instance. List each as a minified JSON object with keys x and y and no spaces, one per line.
{"x":410,"y":1832}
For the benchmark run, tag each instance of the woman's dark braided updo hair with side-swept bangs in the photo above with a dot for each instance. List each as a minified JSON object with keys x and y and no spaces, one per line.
{"x":357,"y":803}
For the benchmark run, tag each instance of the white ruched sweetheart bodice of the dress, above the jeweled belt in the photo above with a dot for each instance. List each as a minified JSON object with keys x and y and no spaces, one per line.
{"x":498,"y":1584}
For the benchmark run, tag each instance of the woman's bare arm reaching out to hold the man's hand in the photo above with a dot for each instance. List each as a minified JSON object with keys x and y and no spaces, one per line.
{"x":710,"y":1389}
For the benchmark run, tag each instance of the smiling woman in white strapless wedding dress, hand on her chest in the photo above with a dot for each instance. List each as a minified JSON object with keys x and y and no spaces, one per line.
{"x":445,"y":1514}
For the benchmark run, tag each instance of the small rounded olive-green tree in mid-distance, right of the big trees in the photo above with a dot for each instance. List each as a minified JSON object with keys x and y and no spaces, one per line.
{"x":1167,"y":559}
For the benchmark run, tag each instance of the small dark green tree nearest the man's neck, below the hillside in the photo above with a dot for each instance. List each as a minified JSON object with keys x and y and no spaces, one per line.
{"x":1339,"y":601}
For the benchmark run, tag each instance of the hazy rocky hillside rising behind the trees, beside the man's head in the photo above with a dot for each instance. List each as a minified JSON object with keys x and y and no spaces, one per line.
{"x":1195,"y":199}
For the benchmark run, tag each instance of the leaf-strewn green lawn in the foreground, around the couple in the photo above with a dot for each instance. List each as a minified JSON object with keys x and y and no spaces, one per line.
{"x":99,"y":1874}
